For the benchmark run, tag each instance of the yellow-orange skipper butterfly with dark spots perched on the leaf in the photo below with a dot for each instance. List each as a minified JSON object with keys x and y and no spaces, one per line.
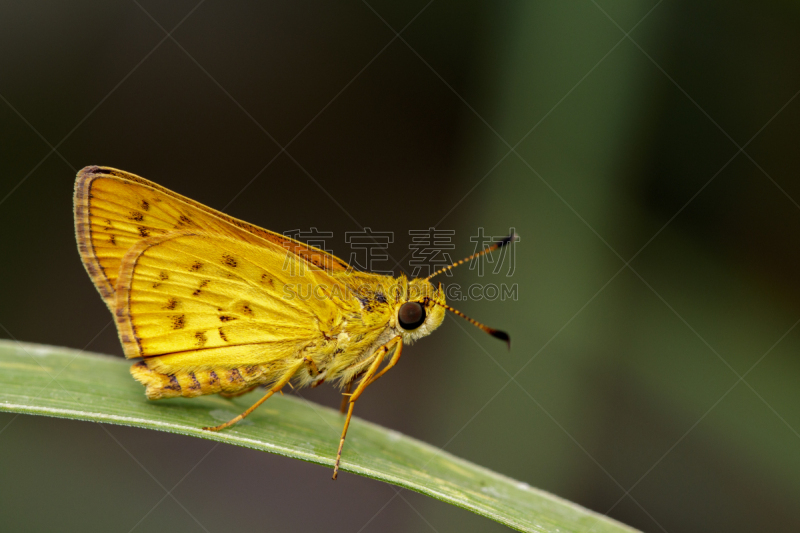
{"x":214,"y":305}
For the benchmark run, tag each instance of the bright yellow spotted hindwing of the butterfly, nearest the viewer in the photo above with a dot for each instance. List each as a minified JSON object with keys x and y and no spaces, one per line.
{"x":193,"y":301}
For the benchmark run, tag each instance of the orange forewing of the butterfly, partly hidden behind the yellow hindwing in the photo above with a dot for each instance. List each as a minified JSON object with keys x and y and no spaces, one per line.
{"x":115,"y":211}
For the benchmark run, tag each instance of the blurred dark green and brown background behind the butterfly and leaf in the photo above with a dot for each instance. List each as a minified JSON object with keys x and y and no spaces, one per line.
{"x":646,"y":153}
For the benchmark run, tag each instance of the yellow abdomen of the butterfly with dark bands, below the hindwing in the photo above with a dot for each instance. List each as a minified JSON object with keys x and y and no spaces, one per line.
{"x":197,"y":383}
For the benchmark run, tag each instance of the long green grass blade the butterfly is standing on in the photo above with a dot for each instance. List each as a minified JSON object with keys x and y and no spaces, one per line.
{"x":52,"y":381}
